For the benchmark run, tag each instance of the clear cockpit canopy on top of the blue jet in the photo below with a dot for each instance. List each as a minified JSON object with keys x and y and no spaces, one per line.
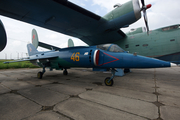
{"x":110,"y":48}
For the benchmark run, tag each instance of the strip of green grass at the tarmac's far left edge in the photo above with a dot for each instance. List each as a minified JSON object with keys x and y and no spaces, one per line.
{"x":24,"y":64}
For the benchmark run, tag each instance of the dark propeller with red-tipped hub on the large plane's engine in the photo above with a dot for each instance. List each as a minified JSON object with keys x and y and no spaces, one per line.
{"x":144,"y":8}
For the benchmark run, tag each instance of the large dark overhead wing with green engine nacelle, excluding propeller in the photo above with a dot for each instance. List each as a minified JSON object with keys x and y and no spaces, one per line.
{"x":67,"y":18}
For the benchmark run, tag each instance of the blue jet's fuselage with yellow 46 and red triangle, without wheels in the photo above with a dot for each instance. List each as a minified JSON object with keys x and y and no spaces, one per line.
{"x":101,"y":56}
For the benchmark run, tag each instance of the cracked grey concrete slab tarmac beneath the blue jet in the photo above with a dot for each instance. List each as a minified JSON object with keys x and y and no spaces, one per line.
{"x":143,"y":94}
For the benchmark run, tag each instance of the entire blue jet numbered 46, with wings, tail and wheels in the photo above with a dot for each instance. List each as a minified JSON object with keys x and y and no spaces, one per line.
{"x":100,"y":57}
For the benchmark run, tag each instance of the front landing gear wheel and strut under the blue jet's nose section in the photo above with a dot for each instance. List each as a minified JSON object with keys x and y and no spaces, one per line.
{"x":109,"y":80}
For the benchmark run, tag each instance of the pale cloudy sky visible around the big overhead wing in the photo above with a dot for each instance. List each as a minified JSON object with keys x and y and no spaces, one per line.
{"x":162,"y":13}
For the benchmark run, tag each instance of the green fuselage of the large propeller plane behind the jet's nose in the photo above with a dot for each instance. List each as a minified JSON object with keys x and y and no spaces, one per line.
{"x":163,"y":43}
